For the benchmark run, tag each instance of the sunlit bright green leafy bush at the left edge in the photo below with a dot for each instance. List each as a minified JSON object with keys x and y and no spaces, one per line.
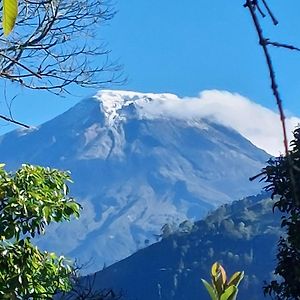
{"x":30,"y":199}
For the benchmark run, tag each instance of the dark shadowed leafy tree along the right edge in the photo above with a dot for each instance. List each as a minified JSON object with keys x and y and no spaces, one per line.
{"x":282,"y":176}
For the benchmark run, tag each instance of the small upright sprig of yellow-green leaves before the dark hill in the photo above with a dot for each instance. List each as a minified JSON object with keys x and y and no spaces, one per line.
{"x":220,"y":288}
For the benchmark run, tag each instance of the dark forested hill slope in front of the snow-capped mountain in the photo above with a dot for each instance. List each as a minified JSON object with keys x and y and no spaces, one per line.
{"x":242,"y":236}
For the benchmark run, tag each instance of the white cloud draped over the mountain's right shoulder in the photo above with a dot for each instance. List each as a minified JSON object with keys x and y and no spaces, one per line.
{"x":258,"y":124}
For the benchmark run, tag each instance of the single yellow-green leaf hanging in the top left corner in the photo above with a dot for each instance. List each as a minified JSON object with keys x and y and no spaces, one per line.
{"x":9,"y":15}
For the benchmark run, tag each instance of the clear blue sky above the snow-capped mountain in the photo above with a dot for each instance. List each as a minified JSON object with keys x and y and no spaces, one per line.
{"x":184,"y":48}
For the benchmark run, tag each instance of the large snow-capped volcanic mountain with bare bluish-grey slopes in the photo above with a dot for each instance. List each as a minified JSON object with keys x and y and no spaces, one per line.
{"x":135,"y":168}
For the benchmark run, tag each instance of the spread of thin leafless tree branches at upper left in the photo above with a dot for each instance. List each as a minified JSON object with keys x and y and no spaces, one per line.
{"x":54,"y":45}
